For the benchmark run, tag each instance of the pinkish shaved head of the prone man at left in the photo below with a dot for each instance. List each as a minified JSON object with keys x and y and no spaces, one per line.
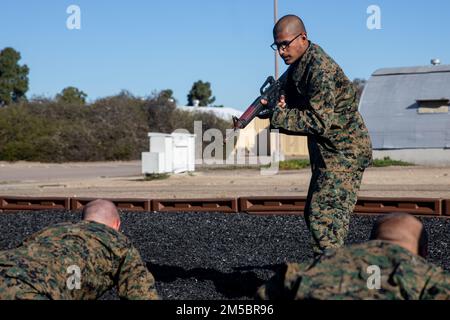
{"x":102,"y":211}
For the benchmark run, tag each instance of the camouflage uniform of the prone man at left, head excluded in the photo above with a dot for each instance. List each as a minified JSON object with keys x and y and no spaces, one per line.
{"x":40,"y":267}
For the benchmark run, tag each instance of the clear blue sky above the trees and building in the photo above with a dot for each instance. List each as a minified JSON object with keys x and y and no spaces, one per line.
{"x":150,"y":45}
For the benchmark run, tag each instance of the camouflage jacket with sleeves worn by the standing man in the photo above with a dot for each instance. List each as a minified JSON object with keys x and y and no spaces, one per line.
{"x":322,"y":103}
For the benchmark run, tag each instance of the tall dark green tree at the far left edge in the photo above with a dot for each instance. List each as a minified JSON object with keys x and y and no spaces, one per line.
{"x":13,"y":77}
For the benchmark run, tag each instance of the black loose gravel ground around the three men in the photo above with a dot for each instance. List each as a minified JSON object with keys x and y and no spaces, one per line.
{"x":214,"y":255}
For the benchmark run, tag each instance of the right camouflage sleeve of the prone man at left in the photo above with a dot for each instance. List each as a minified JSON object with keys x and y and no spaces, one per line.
{"x":135,"y":282}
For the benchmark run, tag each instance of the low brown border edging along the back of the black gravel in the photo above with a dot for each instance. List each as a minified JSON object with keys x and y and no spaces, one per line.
{"x":251,"y":205}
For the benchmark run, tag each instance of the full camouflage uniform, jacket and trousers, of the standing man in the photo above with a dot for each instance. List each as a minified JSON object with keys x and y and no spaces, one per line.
{"x":322,"y":104}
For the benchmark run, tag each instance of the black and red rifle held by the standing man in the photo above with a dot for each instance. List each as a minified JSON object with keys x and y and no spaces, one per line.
{"x":271,"y":90}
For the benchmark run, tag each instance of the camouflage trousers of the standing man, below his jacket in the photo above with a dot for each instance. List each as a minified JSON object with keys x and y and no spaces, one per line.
{"x":331,"y":199}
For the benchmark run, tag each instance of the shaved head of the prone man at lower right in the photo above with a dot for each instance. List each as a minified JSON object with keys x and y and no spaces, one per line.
{"x":402,"y":229}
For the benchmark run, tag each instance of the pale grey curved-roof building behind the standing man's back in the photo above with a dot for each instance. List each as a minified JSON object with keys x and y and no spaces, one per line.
{"x":407,"y":113}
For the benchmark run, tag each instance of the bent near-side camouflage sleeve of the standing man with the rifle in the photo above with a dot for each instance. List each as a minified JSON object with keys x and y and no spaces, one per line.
{"x":315,"y":120}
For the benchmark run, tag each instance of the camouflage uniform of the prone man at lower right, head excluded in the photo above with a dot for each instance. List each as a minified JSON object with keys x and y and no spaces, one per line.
{"x":342,"y":273}
